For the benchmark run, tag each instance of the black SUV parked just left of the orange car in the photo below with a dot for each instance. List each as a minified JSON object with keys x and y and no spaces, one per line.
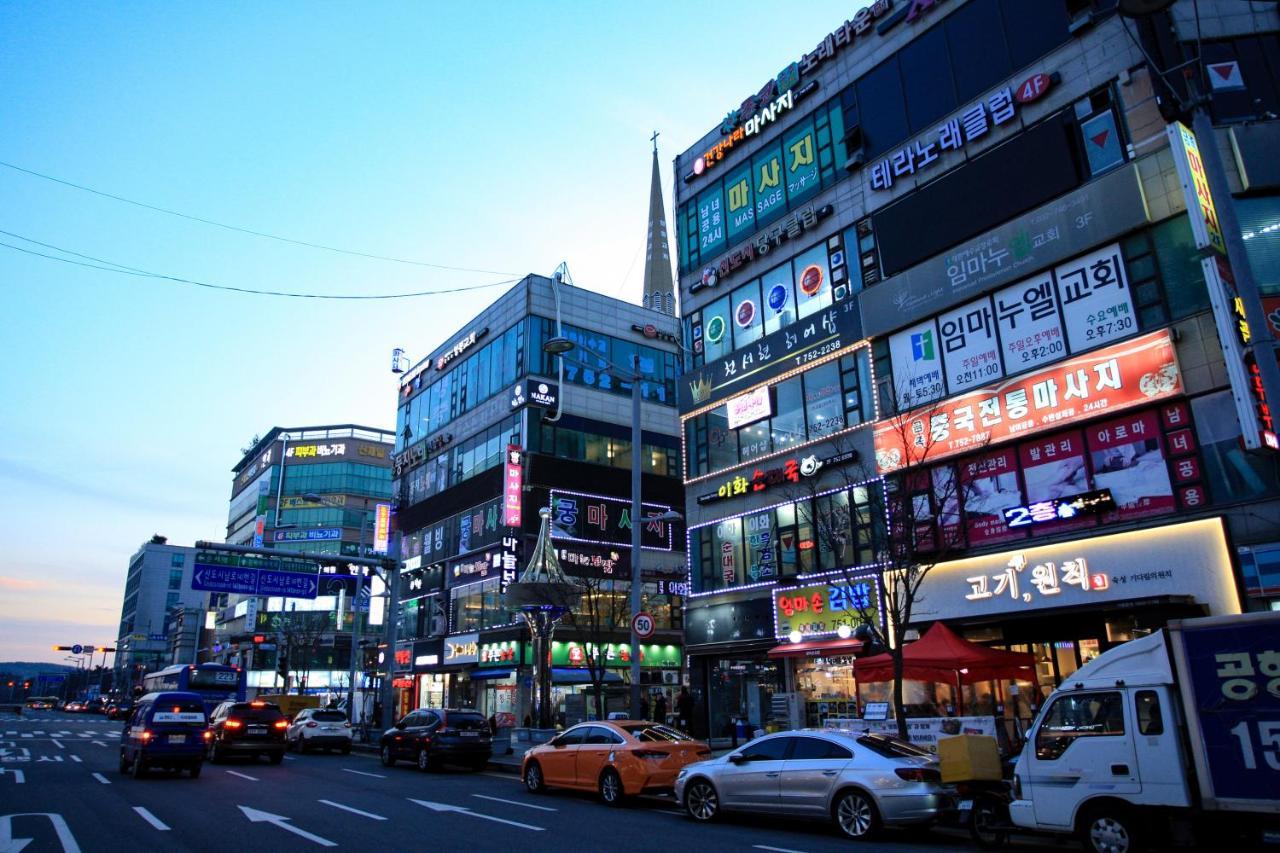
{"x":433,"y":737}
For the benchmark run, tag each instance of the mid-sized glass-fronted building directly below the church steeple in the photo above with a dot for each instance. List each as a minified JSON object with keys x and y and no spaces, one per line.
{"x":491,"y":431}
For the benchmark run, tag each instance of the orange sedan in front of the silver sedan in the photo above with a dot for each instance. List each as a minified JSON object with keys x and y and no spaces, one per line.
{"x":618,"y":759}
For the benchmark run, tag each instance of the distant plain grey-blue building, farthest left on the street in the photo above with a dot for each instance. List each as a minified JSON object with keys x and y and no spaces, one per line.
{"x":162,"y":615}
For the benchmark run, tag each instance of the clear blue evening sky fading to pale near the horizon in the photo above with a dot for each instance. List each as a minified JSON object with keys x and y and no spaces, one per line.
{"x":504,"y":138}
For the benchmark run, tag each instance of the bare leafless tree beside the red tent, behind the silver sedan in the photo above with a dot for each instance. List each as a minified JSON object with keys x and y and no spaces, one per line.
{"x":916,"y":526}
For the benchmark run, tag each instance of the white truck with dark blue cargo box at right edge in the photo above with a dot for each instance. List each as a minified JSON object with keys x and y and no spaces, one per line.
{"x":1168,"y":740}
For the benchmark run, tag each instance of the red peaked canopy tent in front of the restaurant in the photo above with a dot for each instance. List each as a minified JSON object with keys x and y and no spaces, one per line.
{"x":944,"y":656}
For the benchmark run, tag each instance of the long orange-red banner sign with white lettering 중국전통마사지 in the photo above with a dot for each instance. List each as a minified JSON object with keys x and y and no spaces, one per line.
{"x":1110,"y":380}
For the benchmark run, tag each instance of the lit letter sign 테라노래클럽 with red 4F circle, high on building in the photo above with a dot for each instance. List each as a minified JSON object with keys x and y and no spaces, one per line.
{"x":958,"y":133}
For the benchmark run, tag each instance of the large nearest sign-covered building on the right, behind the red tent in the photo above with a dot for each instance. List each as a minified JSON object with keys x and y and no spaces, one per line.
{"x":961,"y":226}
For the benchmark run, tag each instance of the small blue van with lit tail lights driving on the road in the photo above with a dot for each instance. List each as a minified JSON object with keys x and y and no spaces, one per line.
{"x":166,"y":731}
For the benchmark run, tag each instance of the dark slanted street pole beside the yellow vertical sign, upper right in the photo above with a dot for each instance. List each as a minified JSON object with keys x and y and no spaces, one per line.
{"x":1247,"y":289}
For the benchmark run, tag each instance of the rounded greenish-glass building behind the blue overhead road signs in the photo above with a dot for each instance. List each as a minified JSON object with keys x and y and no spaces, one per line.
{"x":312,"y":490}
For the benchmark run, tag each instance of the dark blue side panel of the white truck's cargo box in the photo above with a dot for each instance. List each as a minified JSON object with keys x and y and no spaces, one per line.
{"x":1233,"y":697}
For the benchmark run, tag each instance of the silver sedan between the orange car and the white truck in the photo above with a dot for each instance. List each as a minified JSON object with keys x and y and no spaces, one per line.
{"x":860,"y":781}
